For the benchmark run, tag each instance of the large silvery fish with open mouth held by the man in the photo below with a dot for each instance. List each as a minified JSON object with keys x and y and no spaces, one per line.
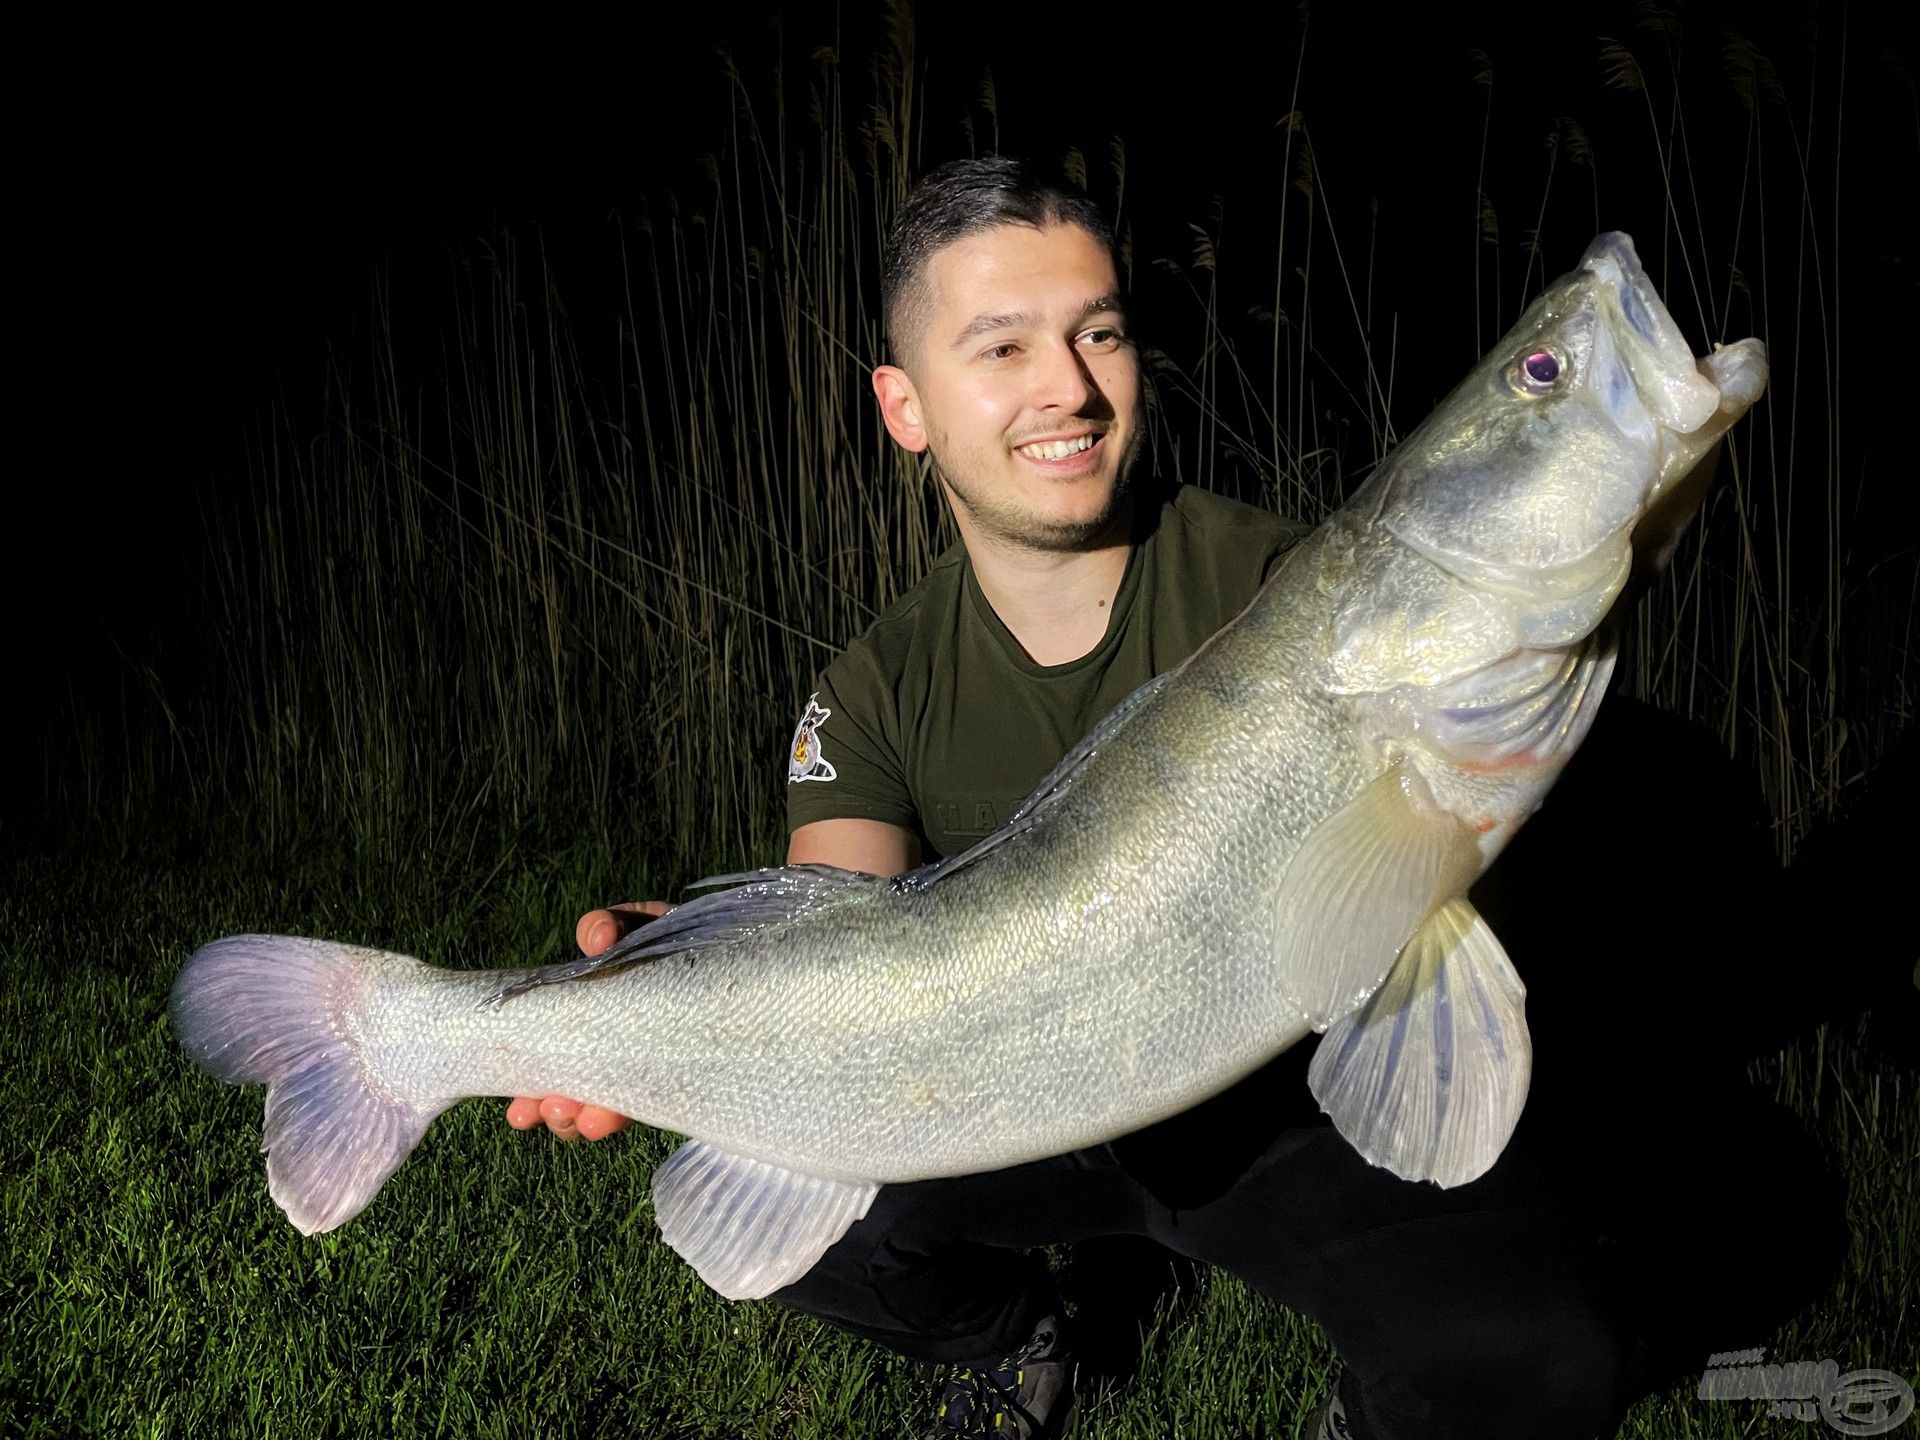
{"x":1274,"y":840}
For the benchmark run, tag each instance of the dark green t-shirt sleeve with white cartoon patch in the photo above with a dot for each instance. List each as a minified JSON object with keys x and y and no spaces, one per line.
{"x":842,"y":763}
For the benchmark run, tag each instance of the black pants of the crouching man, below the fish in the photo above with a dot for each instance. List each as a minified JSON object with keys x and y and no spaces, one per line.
{"x":1451,"y":1308}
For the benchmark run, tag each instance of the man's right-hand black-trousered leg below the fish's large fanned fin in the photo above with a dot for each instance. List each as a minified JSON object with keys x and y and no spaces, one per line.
{"x":1468,"y":1312}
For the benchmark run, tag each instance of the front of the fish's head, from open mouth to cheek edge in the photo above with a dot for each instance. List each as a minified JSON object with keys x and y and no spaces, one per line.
{"x":1535,"y":473}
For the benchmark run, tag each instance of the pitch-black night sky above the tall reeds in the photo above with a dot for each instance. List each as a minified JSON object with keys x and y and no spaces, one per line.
{"x":212,"y":218}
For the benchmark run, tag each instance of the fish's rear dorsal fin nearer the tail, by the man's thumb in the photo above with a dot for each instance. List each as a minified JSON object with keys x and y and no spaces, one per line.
{"x":759,"y":900}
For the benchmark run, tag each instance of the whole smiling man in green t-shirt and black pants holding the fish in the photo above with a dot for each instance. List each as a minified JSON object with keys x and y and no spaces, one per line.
{"x":1015,"y":368}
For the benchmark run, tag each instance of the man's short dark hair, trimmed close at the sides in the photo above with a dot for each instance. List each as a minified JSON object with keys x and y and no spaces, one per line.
{"x":965,"y":199}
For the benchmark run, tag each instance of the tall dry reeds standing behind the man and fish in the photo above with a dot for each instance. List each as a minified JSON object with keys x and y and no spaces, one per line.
{"x":539,"y":581}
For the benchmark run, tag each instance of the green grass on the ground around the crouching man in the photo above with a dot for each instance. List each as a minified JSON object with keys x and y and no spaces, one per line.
{"x":508,"y":1285}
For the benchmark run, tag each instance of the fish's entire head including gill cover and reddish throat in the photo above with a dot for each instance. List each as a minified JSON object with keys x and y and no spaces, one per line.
{"x":1472,"y":575}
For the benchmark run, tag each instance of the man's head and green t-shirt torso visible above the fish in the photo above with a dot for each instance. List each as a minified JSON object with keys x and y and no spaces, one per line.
{"x":1019,"y":375}
